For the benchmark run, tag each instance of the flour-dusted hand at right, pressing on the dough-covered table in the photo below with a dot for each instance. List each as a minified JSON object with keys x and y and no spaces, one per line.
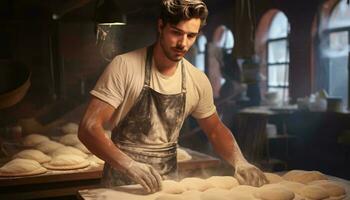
{"x":248,"y":174}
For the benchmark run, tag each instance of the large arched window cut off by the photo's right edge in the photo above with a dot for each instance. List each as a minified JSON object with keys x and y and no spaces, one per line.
{"x":336,"y":50}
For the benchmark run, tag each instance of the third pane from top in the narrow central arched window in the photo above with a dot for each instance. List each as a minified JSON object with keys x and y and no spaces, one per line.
{"x":278,"y":75}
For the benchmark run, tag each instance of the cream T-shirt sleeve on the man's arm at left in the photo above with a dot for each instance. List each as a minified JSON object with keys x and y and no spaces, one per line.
{"x":110,"y":87}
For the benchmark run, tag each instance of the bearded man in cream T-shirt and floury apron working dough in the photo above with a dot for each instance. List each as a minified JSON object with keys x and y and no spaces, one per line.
{"x":145,"y":95}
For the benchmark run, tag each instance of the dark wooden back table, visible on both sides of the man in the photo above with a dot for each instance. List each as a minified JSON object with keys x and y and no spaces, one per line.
{"x":56,"y":183}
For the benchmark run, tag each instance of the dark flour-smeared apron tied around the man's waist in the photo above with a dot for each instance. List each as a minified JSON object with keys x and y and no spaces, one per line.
{"x":150,"y":130}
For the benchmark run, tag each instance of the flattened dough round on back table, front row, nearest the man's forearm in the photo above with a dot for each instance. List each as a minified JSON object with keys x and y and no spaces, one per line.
{"x":67,"y":162}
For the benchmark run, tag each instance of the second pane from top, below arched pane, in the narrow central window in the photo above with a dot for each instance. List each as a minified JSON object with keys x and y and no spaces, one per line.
{"x":278,"y":51}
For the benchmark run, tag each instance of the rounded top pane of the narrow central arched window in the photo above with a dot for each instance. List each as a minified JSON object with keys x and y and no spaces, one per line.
{"x":279,"y":26}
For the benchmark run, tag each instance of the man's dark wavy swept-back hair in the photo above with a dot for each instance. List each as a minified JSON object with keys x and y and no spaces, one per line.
{"x":174,"y":11}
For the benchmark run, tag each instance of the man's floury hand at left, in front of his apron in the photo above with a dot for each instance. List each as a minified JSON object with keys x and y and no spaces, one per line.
{"x":145,"y":175}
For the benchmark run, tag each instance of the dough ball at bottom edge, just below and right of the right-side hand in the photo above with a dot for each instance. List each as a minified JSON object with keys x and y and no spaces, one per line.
{"x":273,"y":192}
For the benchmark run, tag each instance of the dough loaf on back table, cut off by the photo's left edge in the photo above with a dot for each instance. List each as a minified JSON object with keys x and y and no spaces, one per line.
{"x":21,"y":167}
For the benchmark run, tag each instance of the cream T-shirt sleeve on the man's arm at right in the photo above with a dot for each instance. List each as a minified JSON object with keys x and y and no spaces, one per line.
{"x":205,"y":106}
